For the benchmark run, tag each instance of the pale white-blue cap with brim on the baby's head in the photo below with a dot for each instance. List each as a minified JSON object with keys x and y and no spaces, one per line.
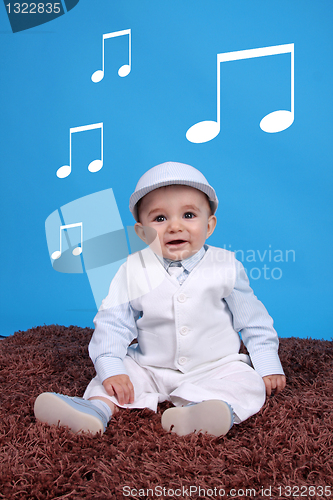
{"x":167,"y":174}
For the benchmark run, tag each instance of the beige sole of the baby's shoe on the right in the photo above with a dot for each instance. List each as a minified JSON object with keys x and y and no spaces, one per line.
{"x":213,"y":417}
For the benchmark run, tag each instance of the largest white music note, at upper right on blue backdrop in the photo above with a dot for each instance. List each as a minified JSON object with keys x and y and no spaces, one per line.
{"x":273,"y":122}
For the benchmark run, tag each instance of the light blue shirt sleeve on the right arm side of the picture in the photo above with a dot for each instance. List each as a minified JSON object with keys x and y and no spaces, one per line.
{"x":255,"y":325}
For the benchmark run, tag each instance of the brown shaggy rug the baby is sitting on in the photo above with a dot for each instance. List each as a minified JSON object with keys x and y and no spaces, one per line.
{"x":285,"y":451}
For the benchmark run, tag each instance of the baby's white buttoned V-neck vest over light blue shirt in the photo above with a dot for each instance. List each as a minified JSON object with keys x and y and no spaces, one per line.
{"x":182,"y":326}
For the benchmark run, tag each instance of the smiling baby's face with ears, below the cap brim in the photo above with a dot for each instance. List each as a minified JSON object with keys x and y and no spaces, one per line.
{"x":182,"y":218}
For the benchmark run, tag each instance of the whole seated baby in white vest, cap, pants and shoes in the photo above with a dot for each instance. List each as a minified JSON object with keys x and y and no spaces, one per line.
{"x":185,"y":303}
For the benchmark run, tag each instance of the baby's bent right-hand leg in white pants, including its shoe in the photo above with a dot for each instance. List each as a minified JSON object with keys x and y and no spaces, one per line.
{"x":235,"y":384}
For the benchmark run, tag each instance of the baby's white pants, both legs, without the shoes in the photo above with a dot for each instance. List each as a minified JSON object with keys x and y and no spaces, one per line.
{"x":231,"y":379}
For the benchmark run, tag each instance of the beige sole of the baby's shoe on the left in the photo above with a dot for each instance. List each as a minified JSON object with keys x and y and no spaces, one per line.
{"x":53,"y":410}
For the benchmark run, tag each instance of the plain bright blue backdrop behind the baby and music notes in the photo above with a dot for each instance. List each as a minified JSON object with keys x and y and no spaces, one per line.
{"x":274,"y":189}
